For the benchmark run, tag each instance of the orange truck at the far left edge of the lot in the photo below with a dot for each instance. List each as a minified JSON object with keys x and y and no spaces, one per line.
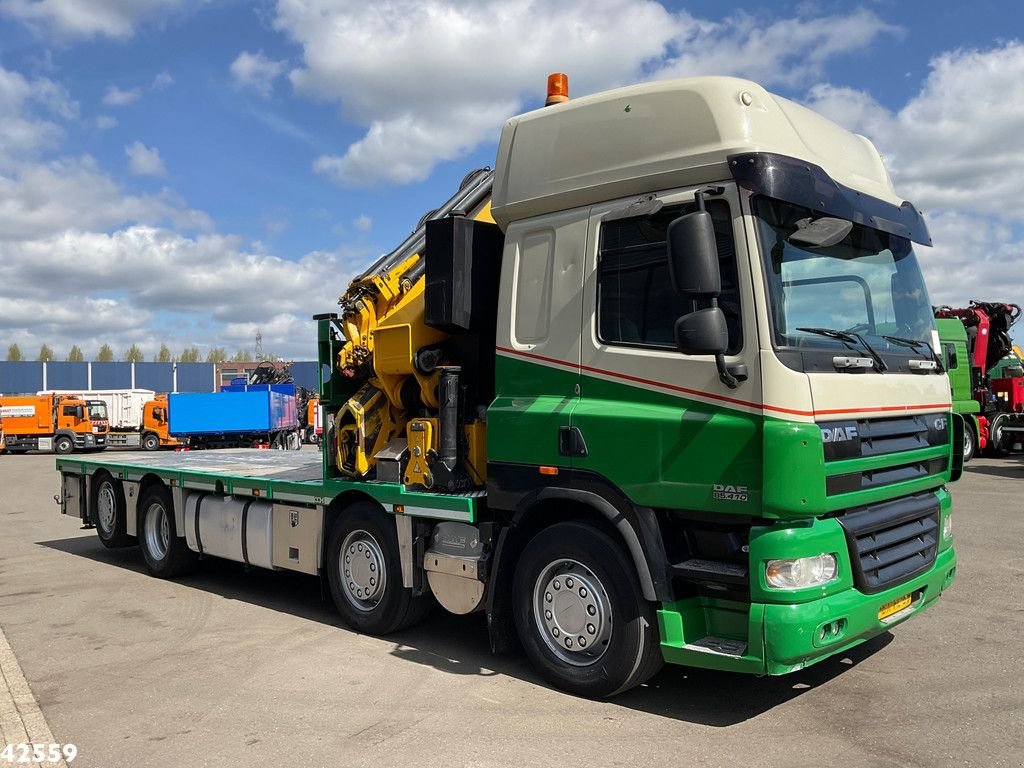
{"x":54,"y":422}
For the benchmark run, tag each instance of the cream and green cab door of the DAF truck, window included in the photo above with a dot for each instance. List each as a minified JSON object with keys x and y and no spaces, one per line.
{"x":661,"y":425}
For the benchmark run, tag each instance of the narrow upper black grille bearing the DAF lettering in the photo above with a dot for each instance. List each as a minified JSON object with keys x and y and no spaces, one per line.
{"x":856,"y":440}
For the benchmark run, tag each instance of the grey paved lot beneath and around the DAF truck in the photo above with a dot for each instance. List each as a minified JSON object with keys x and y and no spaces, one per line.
{"x":228,"y":668}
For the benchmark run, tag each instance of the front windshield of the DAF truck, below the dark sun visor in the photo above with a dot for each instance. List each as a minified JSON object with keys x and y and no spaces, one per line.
{"x":868,"y":284}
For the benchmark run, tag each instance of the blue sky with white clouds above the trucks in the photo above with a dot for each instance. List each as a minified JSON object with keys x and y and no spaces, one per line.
{"x":196,"y":173}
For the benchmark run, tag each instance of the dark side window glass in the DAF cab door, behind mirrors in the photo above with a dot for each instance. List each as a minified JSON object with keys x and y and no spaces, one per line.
{"x":636,"y":305}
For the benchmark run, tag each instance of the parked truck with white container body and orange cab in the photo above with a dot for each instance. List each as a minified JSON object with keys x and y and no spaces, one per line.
{"x":138,"y":417}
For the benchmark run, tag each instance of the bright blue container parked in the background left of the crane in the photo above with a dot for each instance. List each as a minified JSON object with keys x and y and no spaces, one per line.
{"x":227,"y":413}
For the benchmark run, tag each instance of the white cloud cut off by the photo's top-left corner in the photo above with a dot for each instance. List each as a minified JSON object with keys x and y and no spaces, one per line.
{"x":88,"y":19}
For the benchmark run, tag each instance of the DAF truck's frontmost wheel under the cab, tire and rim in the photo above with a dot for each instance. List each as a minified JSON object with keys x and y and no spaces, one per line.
{"x":581,"y":615}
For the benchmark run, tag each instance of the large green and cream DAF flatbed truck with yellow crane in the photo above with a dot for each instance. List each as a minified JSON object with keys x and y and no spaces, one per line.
{"x":661,"y":388}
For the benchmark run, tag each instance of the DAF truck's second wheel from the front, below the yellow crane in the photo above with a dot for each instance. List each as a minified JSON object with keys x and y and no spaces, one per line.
{"x":365,"y":573}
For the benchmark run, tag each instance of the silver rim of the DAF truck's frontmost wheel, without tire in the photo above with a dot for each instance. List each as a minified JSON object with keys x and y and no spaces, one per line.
{"x":573,"y":613}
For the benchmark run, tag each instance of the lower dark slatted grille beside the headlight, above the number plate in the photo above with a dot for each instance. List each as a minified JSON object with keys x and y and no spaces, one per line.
{"x":893,"y":541}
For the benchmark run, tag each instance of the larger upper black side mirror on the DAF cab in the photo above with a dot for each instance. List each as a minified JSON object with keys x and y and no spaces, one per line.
{"x":694,"y":257}
